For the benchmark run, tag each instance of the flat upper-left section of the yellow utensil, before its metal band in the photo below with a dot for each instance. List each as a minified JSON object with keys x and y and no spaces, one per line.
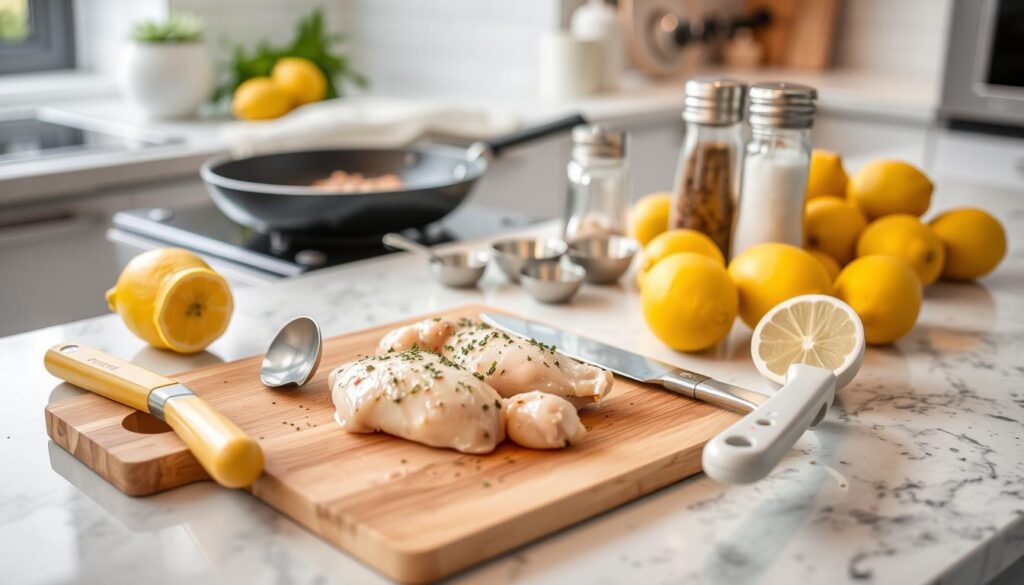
{"x":104,"y":374}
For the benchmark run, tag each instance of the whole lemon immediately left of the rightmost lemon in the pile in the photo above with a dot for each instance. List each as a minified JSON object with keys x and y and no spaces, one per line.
{"x":905,"y":237}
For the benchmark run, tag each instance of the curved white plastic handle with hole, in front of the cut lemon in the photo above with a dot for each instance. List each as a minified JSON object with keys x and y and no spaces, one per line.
{"x":751,"y":448}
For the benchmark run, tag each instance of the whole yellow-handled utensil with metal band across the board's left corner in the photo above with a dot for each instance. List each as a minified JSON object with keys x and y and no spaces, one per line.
{"x":229,"y":455}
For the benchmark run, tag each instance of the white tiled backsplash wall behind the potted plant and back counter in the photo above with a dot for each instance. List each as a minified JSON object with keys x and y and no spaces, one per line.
{"x":480,"y":50}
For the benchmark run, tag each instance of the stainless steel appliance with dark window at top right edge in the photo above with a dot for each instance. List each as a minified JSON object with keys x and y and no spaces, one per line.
{"x":985,"y":81}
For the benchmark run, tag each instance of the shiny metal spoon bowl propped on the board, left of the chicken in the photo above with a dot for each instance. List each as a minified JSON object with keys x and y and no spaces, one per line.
{"x":294,"y":355}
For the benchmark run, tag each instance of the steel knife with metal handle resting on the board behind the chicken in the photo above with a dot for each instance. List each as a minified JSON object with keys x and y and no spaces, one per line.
{"x":630,"y":365}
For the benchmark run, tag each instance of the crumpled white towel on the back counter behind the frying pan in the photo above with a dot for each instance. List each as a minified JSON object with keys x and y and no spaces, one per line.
{"x":365,"y":122}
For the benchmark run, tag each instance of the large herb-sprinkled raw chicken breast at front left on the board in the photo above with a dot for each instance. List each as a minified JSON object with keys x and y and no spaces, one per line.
{"x":421,"y":397}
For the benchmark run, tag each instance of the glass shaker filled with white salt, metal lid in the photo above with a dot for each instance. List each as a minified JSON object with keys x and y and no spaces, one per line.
{"x":779,"y":157}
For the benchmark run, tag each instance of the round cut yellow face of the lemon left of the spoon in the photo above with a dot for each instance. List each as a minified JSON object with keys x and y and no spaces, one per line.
{"x":193,"y":310}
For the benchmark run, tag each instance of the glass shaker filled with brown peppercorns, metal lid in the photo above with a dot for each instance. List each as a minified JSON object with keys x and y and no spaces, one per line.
{"x":707,"y":186}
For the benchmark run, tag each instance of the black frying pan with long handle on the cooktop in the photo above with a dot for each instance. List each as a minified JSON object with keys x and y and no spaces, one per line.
{"x":274,"y":193}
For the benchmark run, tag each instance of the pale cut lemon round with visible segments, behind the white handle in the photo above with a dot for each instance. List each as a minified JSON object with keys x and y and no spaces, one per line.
{"x":814,"y":329}
